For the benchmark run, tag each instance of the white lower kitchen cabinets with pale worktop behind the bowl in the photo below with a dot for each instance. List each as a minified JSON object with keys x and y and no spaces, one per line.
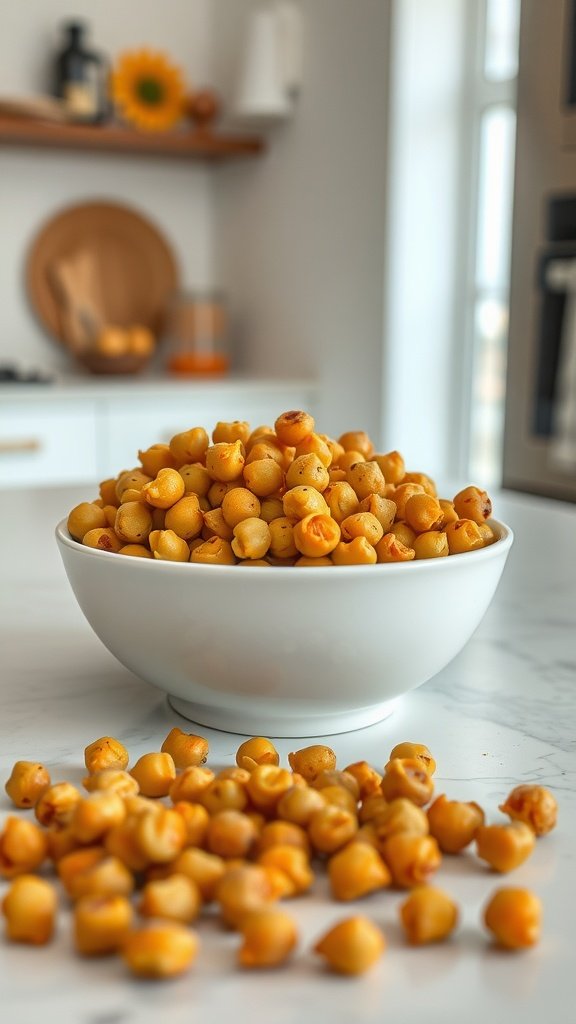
{"x":77,"y":432}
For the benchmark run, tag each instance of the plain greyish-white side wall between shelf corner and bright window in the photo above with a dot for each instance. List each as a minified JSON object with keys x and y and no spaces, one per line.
{"x":301,"y":233}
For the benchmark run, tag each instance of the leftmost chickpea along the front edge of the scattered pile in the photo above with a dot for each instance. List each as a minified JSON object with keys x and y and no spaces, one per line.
{"x":30,"y":910}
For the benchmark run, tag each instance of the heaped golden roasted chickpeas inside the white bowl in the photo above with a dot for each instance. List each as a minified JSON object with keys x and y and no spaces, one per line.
{"x":278,"y":496}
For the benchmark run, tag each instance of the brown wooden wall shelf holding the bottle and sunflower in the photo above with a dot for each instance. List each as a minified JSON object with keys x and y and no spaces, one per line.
{"x":112,"y":139}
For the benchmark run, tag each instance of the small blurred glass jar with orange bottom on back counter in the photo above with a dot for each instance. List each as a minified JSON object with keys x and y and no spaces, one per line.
{"x":197,"y":334}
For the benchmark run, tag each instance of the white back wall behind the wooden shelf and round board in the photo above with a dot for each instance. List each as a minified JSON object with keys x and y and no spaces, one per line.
{"x":35,"y":184}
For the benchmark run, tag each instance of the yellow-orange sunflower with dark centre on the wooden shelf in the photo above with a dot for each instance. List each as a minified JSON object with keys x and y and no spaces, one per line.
{"x":148,"y":91}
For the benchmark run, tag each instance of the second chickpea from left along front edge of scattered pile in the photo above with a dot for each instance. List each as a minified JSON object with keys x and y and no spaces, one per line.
{"x":102,"y":924}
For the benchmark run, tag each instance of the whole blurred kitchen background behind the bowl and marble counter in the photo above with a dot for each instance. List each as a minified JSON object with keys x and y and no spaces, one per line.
{"x":216,"y":209}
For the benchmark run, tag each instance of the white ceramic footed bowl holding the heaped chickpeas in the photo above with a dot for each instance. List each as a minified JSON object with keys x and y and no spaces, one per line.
{"x":284,"y":652}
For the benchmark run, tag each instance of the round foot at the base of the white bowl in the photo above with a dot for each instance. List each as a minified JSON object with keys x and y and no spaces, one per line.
{"x":289,"y":724}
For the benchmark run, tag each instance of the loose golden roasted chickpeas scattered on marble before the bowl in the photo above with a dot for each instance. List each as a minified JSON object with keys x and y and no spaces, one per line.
{"x":145,"y":851}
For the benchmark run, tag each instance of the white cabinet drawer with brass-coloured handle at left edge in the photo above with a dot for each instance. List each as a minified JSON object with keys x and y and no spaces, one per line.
{"x":43,"y":444}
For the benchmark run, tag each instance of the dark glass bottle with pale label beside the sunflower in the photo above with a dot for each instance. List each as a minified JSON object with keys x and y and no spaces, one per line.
{"x":80,"y":78}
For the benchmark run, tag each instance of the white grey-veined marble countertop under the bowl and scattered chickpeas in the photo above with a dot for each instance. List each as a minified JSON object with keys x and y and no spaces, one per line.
{"x":503,"y":713}
